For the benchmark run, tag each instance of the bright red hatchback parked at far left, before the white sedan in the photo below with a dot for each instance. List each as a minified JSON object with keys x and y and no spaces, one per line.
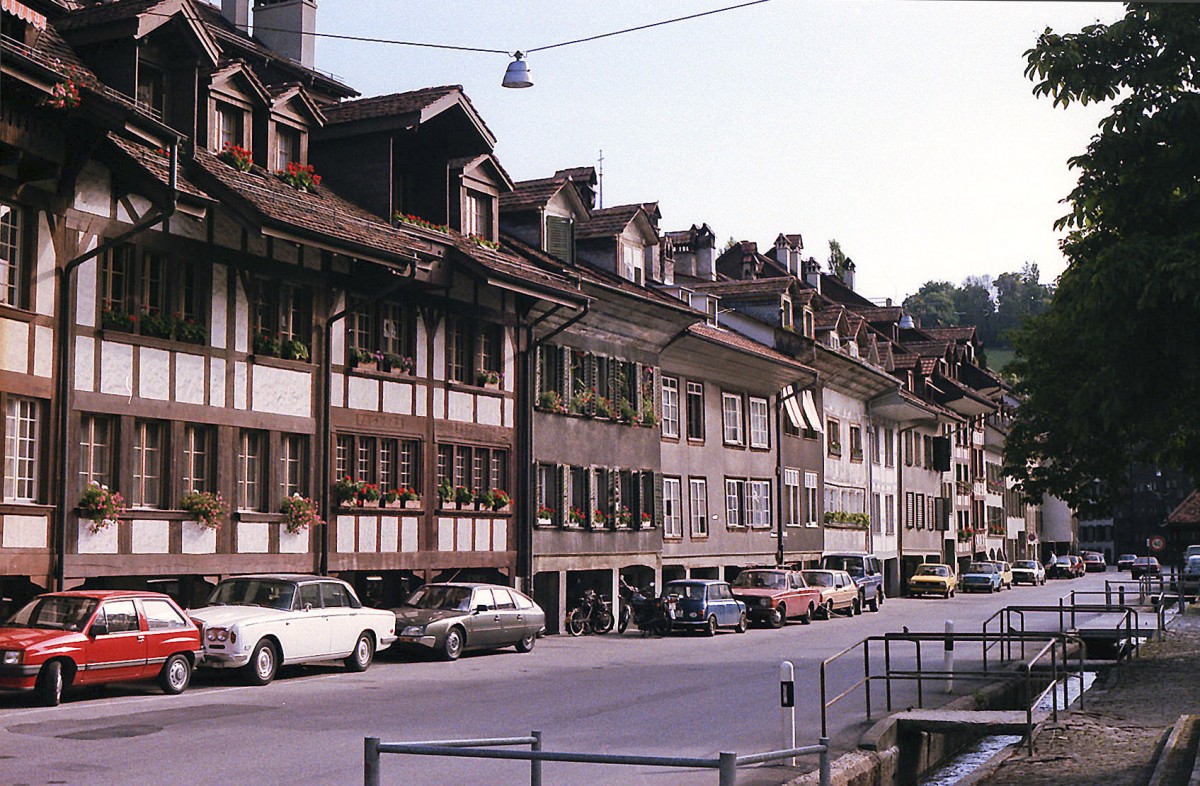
{"x":89,"y":638}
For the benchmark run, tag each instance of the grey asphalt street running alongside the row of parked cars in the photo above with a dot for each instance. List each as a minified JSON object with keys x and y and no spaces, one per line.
{"x":677,"y":697}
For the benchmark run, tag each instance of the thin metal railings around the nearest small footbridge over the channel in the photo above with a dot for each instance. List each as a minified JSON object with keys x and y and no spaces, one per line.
{"x":1055,"y":646}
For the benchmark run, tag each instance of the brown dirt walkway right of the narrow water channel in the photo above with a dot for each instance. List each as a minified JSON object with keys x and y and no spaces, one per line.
{"x":1114,"y":741}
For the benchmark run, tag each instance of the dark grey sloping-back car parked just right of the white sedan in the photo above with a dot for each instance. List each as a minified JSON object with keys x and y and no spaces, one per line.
{"x":451,"y":619}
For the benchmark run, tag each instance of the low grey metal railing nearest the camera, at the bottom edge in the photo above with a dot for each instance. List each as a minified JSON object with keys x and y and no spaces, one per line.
{"x":725,"y":764}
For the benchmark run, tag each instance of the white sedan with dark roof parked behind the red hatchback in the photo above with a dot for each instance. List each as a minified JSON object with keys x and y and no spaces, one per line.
{"x":262,"y":622}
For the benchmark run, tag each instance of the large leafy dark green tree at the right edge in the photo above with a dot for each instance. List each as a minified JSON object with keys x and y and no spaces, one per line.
{"x":1108,"y":373}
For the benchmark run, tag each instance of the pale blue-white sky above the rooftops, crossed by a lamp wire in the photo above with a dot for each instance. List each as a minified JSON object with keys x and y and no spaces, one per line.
{"x":903,"y":129}
